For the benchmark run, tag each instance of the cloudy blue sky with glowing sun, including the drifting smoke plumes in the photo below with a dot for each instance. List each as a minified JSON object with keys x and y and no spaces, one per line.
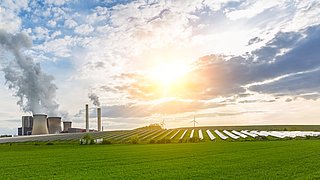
{"x":227,"y":62}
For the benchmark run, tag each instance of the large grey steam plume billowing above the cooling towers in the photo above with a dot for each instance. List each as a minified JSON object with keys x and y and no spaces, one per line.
{"x":33,"y":87}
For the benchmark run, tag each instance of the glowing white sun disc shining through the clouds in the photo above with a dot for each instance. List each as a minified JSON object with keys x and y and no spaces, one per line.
{"x":169,"y":73}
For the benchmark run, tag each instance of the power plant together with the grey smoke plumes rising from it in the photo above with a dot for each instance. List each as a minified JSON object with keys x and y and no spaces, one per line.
{"x":35,"y":89}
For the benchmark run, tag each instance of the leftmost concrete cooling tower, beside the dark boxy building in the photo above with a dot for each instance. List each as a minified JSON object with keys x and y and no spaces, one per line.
{"x":39,"y":124}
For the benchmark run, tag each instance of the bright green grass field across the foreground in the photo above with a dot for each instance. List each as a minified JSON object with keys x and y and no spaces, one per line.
{"x":293,"y":159}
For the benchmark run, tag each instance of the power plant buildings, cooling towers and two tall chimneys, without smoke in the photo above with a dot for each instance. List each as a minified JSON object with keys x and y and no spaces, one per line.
{"x":39,"y":124}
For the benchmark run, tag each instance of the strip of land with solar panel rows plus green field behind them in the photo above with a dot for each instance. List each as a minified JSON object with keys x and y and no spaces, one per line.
{"x":146,"y":135}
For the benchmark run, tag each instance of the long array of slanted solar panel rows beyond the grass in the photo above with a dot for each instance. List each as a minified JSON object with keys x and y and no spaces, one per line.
{"x":174,"y":135}
